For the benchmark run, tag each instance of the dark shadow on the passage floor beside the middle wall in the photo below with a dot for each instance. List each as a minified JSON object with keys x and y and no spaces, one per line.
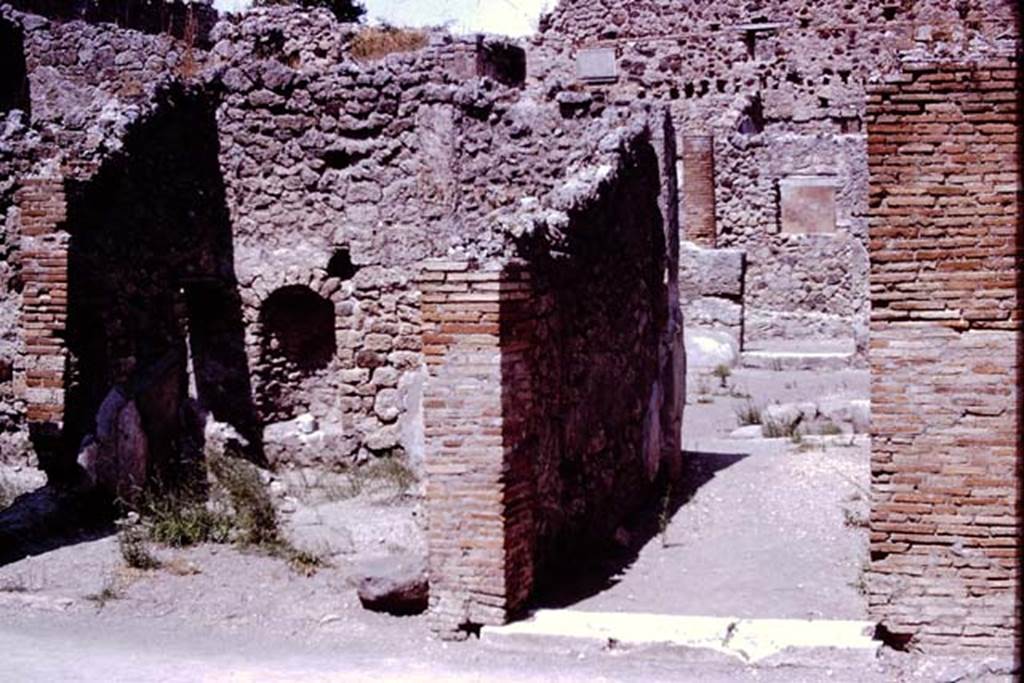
{"x":605,"y":567}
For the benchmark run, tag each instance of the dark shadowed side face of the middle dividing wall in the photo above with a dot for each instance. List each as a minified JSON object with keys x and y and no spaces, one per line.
{"x":602,"y":305}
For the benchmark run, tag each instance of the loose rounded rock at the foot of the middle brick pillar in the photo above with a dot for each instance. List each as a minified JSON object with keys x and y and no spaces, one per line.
{"x":397,"y":585}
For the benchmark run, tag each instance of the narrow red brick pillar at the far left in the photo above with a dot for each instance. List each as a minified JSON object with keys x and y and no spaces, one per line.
{"x":45,"y":310}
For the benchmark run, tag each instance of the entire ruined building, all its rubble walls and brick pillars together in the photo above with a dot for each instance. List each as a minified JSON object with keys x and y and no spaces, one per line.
{"x":481,"y":255}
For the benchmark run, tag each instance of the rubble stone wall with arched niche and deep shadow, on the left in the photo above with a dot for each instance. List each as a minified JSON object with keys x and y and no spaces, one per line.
{"x":335,"y":180}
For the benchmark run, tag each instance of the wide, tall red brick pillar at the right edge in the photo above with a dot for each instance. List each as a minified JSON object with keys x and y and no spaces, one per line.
{"x":945,"y":353}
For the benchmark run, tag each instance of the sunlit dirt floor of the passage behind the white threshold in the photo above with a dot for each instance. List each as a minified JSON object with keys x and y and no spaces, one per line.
{"x":772,"y":529}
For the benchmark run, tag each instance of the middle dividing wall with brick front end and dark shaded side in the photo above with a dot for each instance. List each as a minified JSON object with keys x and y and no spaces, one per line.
{"x":553,"y":402}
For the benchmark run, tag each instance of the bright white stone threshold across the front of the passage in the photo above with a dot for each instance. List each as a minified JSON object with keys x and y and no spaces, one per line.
{"x":770,"y":643}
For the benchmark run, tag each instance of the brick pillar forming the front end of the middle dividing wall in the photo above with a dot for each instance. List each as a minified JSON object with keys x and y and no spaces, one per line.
{"x":478,"y":407}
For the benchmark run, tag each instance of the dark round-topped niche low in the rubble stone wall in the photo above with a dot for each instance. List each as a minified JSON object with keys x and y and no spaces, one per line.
{"x":296,"y":340}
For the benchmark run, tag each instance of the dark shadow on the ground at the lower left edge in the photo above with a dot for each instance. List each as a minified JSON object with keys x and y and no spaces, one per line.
{"x":50,"y":519}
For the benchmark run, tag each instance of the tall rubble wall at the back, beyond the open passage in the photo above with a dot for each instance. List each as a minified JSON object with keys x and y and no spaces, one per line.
{"x":781,"y":88}
